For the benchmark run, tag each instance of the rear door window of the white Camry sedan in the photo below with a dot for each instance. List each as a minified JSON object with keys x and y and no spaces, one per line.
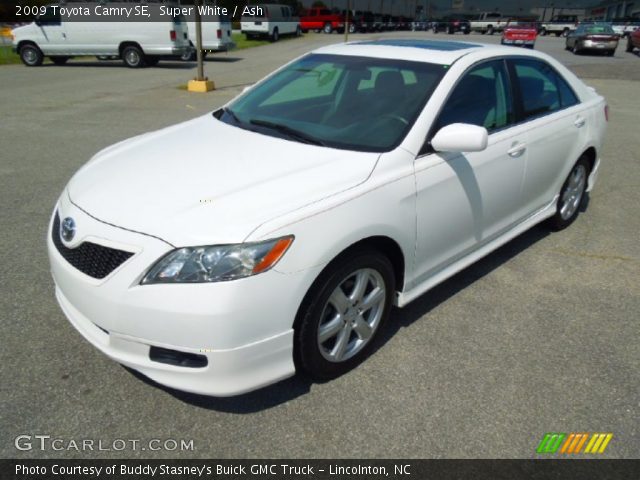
{"x":543,"y":90}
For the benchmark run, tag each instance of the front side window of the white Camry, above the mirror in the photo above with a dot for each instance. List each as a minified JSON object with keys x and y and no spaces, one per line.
{"x":481,"y":98}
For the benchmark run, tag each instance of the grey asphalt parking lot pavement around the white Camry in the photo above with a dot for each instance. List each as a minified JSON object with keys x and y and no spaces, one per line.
{"x":541,"y":336}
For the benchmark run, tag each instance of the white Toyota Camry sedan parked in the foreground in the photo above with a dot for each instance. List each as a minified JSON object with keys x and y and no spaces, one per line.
{"x":221,"y":254}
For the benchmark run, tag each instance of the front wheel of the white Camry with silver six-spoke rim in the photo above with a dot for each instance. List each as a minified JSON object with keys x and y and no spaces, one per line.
{"x":348,"y":330}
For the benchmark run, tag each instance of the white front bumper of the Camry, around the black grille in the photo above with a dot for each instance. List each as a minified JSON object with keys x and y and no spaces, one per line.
{"x":243,"y":327}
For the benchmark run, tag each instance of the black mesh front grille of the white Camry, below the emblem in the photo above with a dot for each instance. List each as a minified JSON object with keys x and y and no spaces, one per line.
{"x":92,"y":259}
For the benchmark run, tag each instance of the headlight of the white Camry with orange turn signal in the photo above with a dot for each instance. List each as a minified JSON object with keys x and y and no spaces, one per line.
{"x":217,"y":263}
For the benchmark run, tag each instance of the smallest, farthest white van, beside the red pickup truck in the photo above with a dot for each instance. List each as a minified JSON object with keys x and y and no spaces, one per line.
{"x":270,"y":21}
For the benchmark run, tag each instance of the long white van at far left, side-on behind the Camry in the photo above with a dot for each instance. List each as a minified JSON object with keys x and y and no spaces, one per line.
{"x":137,"y":43}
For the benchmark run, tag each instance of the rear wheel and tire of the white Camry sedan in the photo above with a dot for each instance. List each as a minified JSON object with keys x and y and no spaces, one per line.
{"x":571,"y":195}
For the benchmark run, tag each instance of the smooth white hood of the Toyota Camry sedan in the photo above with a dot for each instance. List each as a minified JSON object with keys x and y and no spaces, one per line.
{"x":206,"y":182}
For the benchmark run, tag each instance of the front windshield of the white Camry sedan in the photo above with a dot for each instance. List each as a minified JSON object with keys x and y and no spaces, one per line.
{"x":346,"y":102}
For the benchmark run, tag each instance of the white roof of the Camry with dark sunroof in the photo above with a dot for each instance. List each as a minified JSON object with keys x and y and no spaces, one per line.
{"x":431,"y":51}
